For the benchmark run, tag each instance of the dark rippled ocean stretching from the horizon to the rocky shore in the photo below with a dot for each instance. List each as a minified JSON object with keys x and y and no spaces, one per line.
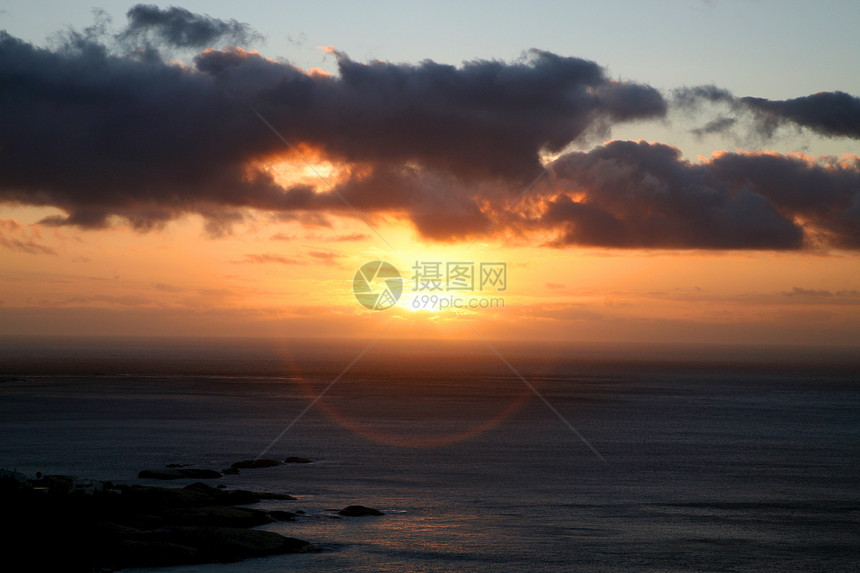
{"x":656,"y":458}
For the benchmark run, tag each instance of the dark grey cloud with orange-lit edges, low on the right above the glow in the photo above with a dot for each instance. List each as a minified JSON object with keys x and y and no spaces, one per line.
{"x":639,"y":194}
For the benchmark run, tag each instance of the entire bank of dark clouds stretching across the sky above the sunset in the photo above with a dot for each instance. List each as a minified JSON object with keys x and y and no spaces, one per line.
{"x":107,"y":125}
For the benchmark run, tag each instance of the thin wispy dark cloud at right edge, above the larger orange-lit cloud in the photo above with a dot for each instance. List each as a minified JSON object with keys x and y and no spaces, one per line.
{"x":832,"y":114}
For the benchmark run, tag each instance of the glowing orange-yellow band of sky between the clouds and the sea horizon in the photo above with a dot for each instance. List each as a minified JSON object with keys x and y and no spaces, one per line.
{"x":285,"y":278}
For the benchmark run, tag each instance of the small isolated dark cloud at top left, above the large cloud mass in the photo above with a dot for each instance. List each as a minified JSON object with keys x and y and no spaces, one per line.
{"x":177,"y":27}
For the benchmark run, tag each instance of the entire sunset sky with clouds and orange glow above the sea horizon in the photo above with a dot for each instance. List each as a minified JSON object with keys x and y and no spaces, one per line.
{"x":678,"y":171}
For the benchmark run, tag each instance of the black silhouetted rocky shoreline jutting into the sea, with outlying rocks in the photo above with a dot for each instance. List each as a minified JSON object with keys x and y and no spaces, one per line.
{"x":60,"y":523}
